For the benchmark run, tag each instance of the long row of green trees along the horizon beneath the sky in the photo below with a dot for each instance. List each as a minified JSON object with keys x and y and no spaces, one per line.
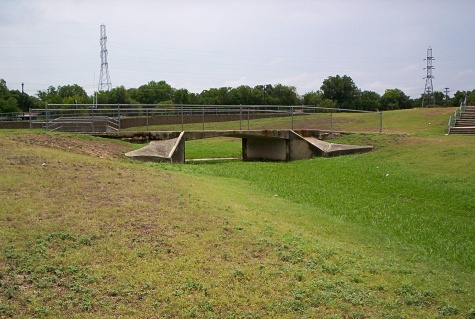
{"x":335,"y":92}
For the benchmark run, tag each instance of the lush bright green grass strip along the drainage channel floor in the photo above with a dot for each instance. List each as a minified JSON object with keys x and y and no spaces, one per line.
{"x":399,"y":190}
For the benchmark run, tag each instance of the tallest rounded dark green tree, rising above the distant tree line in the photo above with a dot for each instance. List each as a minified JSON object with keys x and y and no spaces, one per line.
{"x":341,"y":89}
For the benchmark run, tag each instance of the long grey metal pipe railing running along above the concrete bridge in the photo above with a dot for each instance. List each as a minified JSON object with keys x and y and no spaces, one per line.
{"x":113,"y":116}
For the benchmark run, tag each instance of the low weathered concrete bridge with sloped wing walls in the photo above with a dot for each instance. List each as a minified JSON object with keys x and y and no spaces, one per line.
{"x":257,"y":145}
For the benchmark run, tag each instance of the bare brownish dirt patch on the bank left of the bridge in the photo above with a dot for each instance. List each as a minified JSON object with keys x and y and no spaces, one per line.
{"x":93,"y":147}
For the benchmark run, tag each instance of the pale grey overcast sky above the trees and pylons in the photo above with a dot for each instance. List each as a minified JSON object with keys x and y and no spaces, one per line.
{"x":201,"y":44}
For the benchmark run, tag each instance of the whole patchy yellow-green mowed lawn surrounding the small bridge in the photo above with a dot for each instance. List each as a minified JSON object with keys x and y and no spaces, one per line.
{"x":386,"y":234}
